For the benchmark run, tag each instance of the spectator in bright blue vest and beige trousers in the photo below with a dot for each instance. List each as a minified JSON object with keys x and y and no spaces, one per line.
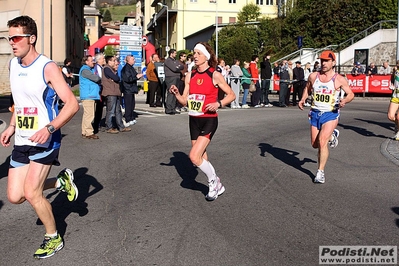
{"x":89,"y":92}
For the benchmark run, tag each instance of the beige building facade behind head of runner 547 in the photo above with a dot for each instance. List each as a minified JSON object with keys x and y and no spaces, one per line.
{"x":60,"y":25}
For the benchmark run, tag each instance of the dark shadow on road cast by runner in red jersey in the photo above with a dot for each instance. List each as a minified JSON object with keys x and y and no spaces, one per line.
{"x":187,"y":171}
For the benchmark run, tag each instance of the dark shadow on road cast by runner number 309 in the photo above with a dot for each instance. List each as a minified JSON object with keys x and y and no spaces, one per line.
{"x":286,"y":156}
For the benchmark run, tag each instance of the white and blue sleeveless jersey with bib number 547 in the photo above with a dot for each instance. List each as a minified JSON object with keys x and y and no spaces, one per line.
{"x":35,"y":103}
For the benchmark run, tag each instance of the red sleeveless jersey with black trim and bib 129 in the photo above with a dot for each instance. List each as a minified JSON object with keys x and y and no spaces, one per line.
{"x":202,"y":92}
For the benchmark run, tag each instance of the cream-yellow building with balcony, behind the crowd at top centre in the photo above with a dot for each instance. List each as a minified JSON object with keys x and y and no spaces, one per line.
{"x":185,"y":18}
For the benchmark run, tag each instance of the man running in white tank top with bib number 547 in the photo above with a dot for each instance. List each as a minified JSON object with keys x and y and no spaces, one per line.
{"x":35,"y":80}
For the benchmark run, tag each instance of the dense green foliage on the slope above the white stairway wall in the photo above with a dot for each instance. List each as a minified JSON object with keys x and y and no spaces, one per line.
{"x":320,"y":24}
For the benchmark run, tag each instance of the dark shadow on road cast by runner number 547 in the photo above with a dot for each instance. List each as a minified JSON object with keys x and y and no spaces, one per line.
{"x":87,"y":186}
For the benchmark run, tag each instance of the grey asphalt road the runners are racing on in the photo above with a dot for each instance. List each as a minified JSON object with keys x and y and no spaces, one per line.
{"x":142,"y":202}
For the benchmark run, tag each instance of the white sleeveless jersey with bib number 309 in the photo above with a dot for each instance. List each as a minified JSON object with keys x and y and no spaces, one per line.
{"x":325,"y":96}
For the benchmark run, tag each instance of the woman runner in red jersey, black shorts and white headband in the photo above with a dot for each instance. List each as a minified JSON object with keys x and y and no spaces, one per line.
{"x":200,"y":96}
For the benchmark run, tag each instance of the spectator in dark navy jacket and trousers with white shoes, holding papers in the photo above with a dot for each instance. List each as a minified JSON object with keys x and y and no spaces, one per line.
{"x":129,"y":88}
